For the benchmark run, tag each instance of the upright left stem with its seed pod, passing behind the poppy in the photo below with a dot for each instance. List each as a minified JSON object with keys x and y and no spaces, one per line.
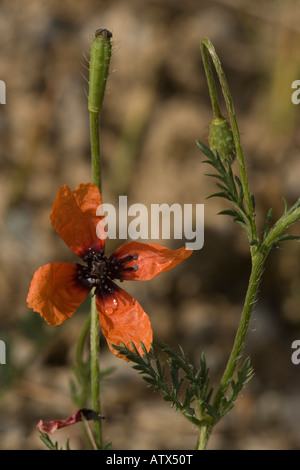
{"x":99,"y":67}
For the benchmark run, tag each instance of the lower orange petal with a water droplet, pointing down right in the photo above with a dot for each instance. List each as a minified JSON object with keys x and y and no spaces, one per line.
{"x":122,"y":320}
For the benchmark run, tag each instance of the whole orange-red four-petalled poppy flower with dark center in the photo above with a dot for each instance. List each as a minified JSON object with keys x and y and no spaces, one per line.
{"x":58,"y":289}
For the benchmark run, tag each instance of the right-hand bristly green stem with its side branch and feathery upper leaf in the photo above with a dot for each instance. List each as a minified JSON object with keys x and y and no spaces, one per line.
{"x":259,"y":249}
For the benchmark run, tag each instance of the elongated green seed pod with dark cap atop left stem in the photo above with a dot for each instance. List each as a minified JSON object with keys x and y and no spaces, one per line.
{"x":99,"y":66}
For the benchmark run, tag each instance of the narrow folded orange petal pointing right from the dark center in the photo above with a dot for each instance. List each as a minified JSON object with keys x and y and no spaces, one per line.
{"x":150,"y":258}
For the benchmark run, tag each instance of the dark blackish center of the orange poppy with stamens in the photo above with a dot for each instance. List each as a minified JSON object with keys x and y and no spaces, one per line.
{"x":99,"y":271}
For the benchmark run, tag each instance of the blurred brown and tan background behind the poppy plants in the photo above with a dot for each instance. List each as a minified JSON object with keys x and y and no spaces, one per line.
{"x":156,"y":107}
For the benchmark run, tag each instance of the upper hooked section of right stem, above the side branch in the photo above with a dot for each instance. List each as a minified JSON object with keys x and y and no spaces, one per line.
{"x":206,"y":46}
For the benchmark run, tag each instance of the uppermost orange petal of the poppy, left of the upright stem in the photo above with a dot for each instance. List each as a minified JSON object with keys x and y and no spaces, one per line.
{"x":74,"y":217}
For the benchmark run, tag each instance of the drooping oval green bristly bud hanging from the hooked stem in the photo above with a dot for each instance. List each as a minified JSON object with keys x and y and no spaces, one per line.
{"x":221,"y":139}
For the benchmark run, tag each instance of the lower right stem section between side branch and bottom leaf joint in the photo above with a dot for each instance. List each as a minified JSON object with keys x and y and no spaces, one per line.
{"x":256,"y":272}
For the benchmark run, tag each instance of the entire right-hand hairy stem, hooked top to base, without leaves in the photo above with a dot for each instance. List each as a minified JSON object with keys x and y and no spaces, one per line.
{"x":259,"y":249}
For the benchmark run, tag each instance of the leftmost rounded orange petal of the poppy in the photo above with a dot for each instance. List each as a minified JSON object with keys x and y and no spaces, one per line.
{"x":55,"y":292}
